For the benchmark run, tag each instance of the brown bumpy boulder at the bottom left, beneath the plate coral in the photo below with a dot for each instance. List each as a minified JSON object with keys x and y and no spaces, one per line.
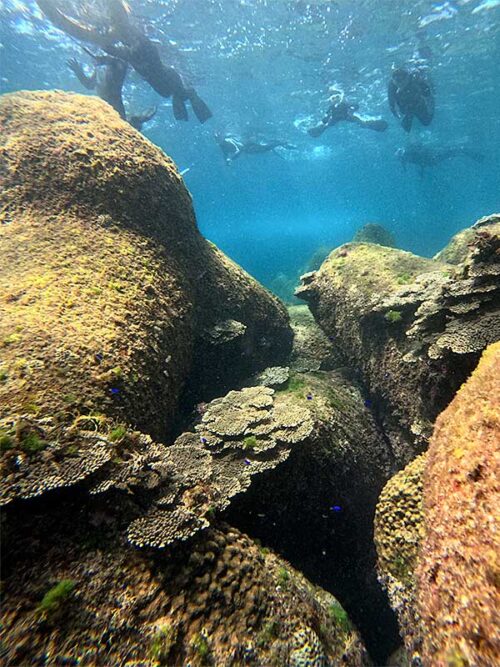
{"x":75,"y":595}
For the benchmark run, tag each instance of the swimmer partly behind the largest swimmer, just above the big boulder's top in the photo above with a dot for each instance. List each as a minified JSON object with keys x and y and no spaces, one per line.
{"x":107,"y":80}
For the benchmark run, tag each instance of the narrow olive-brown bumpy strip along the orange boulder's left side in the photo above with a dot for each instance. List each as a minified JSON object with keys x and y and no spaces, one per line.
{"x":399,"y":529}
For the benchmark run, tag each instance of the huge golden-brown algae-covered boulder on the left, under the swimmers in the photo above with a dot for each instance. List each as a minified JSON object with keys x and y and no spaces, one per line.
{"x":110,"y":296}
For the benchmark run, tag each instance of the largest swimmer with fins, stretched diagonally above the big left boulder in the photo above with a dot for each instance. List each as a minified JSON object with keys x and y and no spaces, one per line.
{"x":120,"y":37}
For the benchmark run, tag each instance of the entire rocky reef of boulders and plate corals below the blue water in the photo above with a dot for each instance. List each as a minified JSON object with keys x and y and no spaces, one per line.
{"x":174,"y":465}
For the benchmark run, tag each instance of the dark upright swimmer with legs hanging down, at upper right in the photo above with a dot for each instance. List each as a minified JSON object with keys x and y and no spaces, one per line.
{"x":411,"y":94}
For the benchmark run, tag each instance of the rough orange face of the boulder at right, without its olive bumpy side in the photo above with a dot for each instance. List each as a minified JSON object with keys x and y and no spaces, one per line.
{"x":458,"y":573}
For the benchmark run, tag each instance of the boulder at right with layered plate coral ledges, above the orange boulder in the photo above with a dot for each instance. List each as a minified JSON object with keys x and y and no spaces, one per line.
{"x":415,"y":328}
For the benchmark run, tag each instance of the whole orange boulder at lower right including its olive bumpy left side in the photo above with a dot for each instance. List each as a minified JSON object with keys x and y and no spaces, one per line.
{"x":436,"y":532}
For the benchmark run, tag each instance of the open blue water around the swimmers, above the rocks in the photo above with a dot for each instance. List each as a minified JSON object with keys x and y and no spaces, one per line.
{"x":267,"y":66}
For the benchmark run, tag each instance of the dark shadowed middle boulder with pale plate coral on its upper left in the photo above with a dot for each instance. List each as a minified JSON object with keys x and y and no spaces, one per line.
{"x":326,"y":463}
